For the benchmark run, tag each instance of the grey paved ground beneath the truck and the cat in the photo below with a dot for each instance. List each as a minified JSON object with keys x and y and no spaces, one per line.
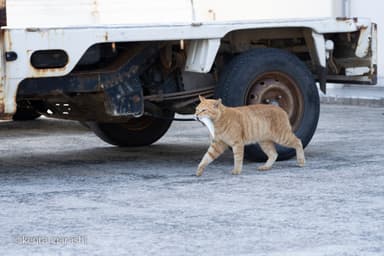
{"x":64,"y":192}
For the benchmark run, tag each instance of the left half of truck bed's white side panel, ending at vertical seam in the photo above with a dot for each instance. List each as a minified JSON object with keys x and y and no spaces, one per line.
{"x":62,"y":13}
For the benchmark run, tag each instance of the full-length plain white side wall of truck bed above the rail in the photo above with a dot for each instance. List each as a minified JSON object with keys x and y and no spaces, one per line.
{"x":60,"y":13}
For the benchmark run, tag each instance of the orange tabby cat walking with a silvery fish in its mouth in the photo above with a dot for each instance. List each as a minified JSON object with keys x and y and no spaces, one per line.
{"x":239,"y":126}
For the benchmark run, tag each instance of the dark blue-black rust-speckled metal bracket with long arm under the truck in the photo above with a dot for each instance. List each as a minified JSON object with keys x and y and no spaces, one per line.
{"x":123,"y":92}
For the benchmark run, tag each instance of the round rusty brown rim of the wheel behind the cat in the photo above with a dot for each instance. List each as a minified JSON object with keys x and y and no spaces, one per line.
{"x":278,"y":88}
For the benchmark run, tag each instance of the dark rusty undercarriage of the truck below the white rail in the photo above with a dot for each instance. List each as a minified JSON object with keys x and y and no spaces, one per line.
{"x":123,"y":80}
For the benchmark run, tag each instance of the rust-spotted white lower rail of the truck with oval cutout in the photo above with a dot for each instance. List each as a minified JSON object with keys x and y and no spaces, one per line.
{"x":75,"y":40}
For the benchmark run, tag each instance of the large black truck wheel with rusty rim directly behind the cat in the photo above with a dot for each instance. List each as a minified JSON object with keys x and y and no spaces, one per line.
{"x":273,"y":76}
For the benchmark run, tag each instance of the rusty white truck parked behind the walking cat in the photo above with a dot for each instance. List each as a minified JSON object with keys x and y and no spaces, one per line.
{"x":126,"y":67}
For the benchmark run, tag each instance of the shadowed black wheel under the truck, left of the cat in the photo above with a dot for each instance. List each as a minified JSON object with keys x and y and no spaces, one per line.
{"x":137,"y":132}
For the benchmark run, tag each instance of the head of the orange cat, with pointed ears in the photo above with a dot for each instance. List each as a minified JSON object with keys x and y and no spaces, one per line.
{"x":208,"y":108}
